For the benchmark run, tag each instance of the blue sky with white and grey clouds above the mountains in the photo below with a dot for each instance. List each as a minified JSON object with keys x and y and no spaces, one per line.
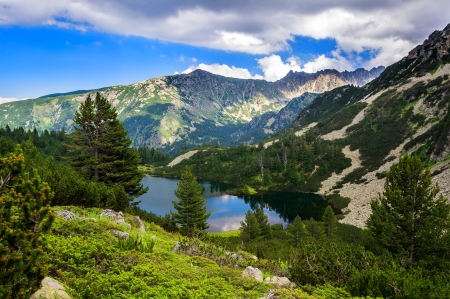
{"x":52,"y":46}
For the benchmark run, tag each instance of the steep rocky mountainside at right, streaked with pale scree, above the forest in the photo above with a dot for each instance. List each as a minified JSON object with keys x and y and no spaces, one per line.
{"x":405,"y":109}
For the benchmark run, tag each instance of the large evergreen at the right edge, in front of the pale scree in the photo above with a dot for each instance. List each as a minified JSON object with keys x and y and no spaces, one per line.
{"x":410,"y":218}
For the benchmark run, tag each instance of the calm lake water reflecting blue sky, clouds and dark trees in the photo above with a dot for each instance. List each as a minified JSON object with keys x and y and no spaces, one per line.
{"x":227,"y":211}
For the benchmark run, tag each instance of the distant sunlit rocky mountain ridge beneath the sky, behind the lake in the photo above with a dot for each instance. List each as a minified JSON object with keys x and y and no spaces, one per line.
{"x":185,"y":110}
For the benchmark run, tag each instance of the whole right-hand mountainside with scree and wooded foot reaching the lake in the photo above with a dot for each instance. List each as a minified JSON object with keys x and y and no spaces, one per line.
{"x":342,"y":144}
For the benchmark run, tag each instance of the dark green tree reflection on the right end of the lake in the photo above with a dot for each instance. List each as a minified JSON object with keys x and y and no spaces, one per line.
{"x":289,"y":205}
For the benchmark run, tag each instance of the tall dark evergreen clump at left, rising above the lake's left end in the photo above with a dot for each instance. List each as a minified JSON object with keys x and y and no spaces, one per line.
{"x":101,"y":147}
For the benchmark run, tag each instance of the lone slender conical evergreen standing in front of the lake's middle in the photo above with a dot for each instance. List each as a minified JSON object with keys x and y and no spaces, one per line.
{"x":191,"y":210}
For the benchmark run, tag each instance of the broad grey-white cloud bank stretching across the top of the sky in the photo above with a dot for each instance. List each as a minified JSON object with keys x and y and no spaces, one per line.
{"x":389,"y":28}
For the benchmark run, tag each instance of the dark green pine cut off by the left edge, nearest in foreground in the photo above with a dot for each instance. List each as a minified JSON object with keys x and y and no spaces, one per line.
{"x":24,"y":214}
